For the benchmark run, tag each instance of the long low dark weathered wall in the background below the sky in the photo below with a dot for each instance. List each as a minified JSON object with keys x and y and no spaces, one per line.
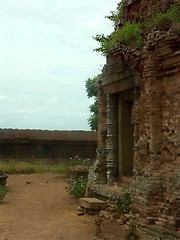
{"x":27,"y":144}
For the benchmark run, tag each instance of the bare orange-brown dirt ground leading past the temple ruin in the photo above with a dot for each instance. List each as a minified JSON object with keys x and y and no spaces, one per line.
{"x":37,"y":207}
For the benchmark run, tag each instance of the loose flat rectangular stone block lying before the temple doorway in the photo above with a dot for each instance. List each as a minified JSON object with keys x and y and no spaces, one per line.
{"x":92,"y":204}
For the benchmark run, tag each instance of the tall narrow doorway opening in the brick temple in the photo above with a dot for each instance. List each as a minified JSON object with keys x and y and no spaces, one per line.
{"x":125,"y":138}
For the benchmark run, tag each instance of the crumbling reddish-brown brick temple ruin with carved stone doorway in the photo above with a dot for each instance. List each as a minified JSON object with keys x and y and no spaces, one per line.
{"x":139,"y":121}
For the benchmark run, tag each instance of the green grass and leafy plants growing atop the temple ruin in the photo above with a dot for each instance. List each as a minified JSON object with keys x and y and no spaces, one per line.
{"x":132,"y":32}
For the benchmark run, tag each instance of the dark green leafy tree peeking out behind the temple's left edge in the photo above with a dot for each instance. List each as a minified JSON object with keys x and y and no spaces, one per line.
{"x":92,"y":93}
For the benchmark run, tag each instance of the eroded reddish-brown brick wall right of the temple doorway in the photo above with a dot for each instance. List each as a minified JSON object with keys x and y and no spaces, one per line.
{"x":157,"y":116}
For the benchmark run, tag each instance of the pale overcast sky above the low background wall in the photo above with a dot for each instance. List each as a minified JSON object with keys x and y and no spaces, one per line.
{"x":46,"y":55}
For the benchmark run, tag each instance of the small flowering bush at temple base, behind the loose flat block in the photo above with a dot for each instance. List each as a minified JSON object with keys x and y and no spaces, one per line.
{"x":77,"y":187}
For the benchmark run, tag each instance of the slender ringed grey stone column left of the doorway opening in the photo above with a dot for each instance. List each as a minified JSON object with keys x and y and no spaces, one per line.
{"x":111,"y":144}
